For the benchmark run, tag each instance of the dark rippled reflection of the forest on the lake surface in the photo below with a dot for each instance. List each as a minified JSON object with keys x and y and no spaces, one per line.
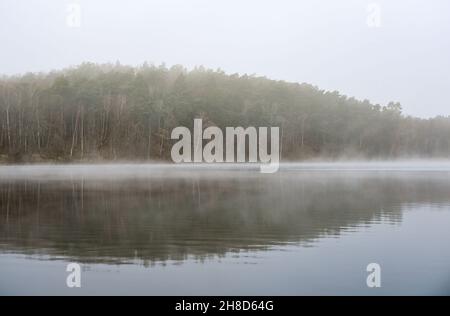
{"x":171,"y":218}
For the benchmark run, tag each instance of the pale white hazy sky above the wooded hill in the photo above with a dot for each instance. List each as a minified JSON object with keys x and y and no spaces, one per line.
{"x":327,"y":43}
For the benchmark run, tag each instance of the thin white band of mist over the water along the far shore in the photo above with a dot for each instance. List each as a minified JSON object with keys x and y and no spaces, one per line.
{"x":143,"y":170}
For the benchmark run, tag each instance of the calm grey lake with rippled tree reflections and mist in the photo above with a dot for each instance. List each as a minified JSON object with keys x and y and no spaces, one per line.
{"x":161,"y":229}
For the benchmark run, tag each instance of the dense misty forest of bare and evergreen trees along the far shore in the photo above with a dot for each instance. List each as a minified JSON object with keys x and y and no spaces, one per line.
{"x":119,"y":112}
